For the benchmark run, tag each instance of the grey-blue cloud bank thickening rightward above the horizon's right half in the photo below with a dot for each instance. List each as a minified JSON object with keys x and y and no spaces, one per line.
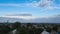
{"x":51,"y":19}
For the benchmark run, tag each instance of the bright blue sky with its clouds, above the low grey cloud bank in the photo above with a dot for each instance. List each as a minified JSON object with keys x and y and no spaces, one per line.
{"x":29,"y":9}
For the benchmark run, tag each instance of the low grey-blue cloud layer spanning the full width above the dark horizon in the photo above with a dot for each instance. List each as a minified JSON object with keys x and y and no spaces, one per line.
{"x":51,"y":19}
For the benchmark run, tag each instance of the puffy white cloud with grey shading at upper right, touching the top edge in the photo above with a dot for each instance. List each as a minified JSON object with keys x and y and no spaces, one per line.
{"x":46,"y":4}
